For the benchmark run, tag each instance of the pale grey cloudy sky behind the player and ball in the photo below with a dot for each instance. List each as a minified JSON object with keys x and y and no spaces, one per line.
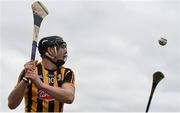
{"x":112,"y":46}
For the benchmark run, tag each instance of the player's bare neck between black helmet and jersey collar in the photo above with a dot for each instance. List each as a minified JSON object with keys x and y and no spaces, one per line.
{"x":48,"y":64}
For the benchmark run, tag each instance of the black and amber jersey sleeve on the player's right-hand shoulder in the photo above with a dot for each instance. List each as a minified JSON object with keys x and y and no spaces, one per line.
{"x":69,"y":77}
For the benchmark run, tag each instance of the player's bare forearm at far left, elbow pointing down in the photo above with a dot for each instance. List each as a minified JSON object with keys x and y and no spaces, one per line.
{"x":16,"y":96}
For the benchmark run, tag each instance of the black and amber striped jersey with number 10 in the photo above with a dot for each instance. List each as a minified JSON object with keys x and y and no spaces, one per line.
{"x":36,"y":100}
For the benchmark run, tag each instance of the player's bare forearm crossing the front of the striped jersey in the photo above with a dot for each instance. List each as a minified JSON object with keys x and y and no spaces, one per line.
{"x":63,"y":95}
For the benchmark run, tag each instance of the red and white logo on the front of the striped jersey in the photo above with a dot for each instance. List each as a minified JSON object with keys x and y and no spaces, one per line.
{"x":44,"y":96}
